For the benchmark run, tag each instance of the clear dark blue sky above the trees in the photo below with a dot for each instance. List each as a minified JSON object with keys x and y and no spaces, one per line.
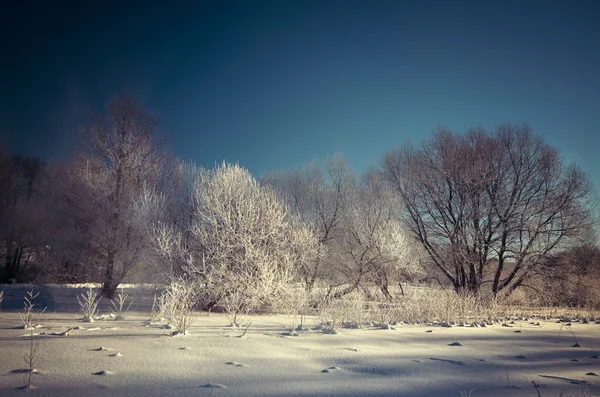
{"x":273,"y":84}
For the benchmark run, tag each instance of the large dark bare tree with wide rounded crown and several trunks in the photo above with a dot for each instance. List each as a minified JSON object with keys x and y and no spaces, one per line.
{"x":504,"y":200}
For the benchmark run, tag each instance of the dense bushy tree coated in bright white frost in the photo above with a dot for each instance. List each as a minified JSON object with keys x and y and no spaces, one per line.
{"x":236,"y":239}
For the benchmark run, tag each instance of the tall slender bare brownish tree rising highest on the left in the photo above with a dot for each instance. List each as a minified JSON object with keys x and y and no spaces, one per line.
{"x":122,"y":155}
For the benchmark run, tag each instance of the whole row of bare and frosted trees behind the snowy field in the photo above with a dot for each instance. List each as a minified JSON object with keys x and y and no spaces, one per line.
{"x":483,"y":212}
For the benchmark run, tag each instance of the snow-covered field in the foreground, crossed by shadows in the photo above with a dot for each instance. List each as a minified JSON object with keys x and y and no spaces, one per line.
{"x":133,"y":357}
